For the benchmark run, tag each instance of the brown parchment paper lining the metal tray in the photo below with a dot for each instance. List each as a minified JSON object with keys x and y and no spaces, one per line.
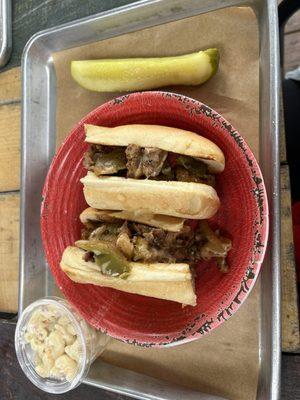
{"x":226,"y":362}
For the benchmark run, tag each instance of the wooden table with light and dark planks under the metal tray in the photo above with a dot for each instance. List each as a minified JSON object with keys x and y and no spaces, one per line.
{"x":29,"y":17}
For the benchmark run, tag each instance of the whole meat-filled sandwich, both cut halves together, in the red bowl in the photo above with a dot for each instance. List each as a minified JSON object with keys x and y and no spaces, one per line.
{"x":150,"y":190}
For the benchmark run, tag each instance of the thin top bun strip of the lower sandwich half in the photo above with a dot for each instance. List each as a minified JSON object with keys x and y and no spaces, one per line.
{"x":171,"y":224}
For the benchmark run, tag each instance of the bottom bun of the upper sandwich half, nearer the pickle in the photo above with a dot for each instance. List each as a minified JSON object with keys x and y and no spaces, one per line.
{"x":178,"y":199}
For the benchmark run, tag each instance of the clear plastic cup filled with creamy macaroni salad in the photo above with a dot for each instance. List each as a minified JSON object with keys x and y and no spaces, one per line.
{"x":31,"y":347}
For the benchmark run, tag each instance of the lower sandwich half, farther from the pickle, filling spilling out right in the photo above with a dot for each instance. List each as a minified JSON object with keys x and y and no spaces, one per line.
{"x":143,"y":253}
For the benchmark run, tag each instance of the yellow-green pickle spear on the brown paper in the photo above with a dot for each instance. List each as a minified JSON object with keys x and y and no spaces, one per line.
{"x":131,"y":74}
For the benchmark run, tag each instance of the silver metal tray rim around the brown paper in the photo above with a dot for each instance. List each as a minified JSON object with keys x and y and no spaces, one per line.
{"x":38,"y":146}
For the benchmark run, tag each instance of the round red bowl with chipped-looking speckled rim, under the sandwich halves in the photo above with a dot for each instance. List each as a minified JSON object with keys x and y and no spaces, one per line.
{"x":243,"y":216}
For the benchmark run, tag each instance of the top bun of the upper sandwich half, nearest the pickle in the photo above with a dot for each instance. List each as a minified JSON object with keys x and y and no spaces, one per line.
{"x":163,"y":137}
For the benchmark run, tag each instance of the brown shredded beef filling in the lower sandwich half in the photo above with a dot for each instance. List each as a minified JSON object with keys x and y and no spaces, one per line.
{"x":140,"y":242}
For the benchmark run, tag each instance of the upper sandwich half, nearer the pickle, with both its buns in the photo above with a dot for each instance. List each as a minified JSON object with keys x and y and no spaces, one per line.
{"x":164,"y":170}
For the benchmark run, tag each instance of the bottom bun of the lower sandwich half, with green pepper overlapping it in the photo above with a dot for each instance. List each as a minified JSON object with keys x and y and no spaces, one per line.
{"x":163,"y":281}
